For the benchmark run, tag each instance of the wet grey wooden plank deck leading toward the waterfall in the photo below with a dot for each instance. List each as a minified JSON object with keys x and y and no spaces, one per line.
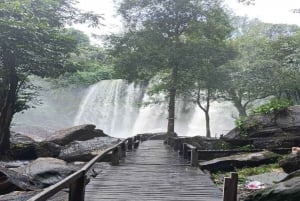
{"x":152,"y":172}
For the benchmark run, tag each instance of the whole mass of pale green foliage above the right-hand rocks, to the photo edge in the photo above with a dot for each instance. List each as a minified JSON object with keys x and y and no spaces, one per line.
{"x":266,"y":65}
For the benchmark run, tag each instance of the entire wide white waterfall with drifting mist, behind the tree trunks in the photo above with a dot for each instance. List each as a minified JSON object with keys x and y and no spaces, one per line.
{"x":119,"y":109}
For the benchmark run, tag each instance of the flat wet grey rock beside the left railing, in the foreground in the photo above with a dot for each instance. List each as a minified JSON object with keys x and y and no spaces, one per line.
{"x":48,"y":171}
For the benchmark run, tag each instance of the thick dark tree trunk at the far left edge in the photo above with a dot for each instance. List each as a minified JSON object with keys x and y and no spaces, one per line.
{"x":8,"y":100}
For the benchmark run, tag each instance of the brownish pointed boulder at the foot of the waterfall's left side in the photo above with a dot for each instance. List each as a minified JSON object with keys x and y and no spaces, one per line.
{"x":79,"y":133}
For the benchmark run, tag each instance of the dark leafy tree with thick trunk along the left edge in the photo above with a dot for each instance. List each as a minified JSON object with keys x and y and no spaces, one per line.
{"x":33,"y":42}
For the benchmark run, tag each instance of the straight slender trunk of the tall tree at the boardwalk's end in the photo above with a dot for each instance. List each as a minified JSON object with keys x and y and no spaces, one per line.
{"x":172,"y":98}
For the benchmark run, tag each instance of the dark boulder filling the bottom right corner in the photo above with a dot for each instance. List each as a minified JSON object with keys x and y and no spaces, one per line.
{"x":286,"y":190}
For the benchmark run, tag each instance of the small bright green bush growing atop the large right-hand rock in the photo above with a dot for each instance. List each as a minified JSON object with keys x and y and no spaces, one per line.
{"x":274,"y":106}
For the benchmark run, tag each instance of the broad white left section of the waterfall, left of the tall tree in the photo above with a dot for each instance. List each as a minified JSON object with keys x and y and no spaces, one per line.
{"x":112,"y":105}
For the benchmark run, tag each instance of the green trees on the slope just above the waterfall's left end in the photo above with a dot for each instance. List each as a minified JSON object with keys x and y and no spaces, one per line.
{"x":92,"y":63}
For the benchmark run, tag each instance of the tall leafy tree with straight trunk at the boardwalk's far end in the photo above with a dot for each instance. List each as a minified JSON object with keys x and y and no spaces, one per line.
{"x":163,"y":37}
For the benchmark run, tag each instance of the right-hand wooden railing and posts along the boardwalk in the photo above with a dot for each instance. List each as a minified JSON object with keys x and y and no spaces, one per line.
{"x":191,"y":153}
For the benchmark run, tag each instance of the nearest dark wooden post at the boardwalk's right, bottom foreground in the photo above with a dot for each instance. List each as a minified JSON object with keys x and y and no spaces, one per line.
{"x":230,"y":187}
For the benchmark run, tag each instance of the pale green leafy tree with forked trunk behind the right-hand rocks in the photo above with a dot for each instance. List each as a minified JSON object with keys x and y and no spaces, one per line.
{"x":253,"y":74}
